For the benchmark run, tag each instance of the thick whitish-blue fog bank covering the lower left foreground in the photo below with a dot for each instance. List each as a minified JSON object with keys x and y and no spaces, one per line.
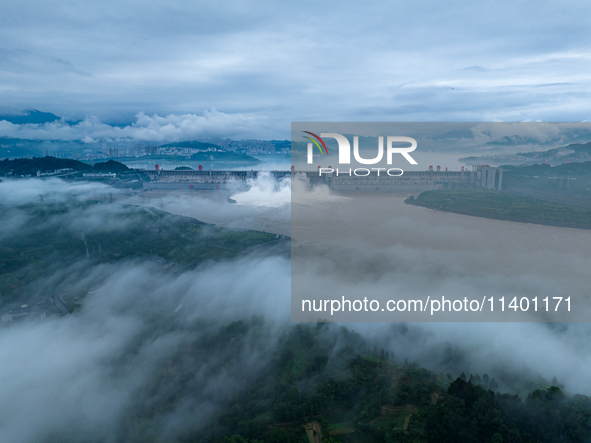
{"x":91,"y":373}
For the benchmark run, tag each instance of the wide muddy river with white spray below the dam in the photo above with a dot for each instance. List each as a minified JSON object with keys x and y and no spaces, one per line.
{"x":474,"y":244}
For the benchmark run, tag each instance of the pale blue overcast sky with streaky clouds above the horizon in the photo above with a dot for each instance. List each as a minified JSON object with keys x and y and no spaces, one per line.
{"x":168,"y":70}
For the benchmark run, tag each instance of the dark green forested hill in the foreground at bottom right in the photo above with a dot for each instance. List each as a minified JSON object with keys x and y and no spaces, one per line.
{"x":355,"y":395}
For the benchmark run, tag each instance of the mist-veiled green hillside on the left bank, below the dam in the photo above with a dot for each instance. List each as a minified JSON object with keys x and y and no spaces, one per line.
{"x":50,"y":230}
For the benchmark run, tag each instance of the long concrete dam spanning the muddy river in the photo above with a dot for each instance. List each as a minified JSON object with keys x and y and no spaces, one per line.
{"x":411,"y":181}
